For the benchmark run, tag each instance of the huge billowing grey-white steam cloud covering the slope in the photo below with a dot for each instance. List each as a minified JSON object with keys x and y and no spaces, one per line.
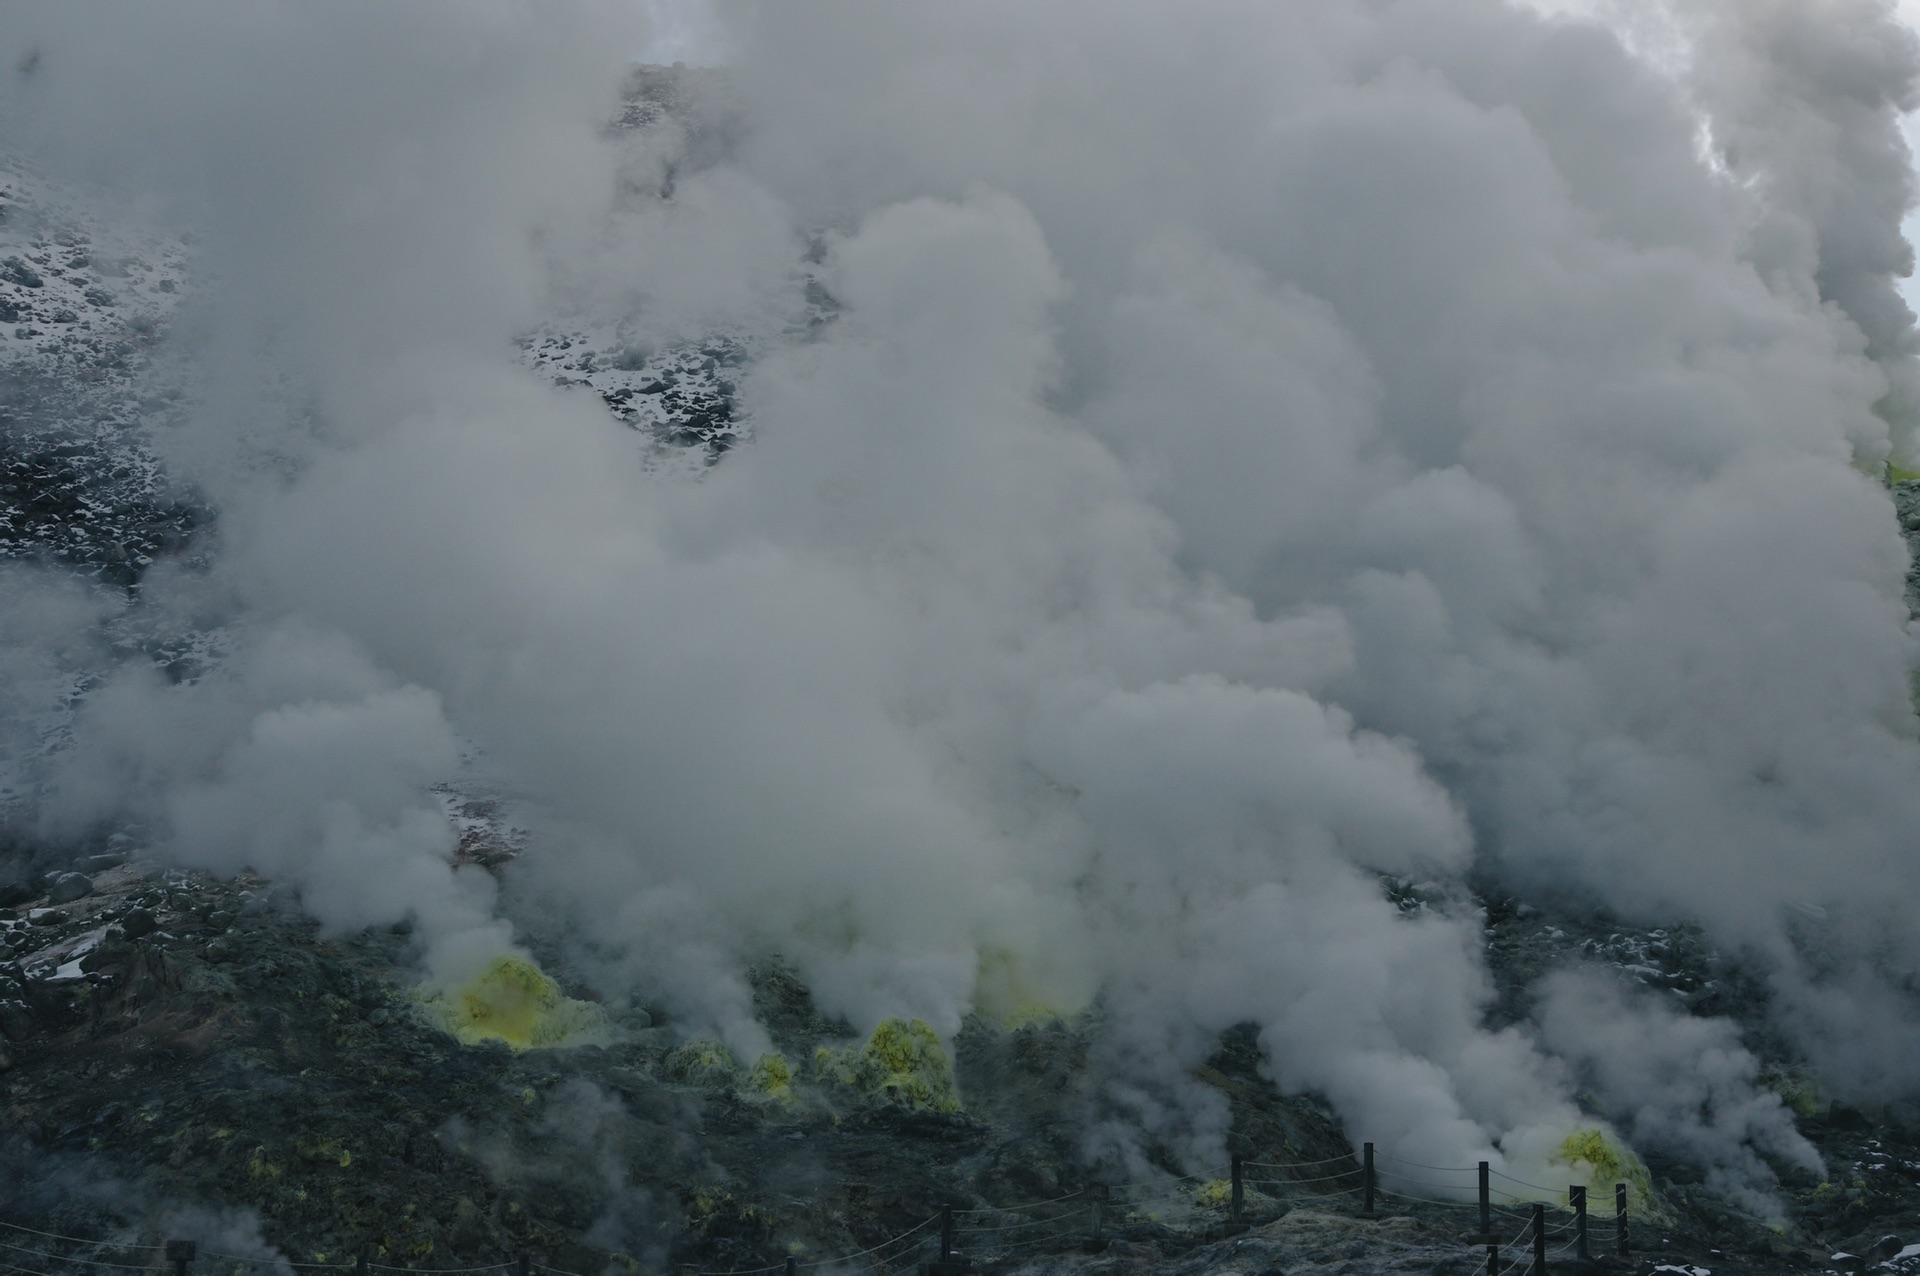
{"x":1093,"y":521}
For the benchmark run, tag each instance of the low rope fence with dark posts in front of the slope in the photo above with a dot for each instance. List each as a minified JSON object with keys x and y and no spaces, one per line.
{"x":1216,"y":1204}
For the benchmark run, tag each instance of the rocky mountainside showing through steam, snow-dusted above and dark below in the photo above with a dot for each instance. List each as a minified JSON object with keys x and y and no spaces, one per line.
{"x":189,"y":1056}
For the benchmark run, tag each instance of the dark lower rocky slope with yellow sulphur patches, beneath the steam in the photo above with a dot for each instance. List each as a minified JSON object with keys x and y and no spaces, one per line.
{"x":191,"y":1058}
